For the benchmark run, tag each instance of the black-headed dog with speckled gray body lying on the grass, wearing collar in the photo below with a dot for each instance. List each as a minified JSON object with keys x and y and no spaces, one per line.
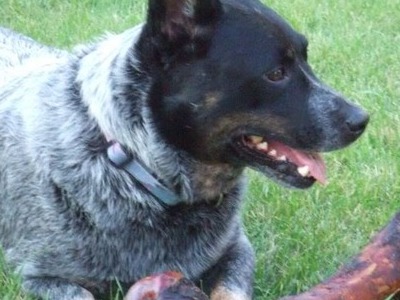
{"x":125,"y":157}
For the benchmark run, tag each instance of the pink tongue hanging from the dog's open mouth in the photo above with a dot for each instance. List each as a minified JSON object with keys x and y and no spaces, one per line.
{"x":313,"y":160}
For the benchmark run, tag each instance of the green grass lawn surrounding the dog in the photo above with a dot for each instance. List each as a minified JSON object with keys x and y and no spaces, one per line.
{"x":300,"y":237}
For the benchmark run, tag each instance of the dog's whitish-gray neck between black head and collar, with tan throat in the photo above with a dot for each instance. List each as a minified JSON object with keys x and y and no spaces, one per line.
{"x":191,"y":180}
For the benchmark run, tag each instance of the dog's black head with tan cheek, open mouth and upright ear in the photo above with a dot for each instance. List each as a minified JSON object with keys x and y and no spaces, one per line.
{"x":232,"y":85}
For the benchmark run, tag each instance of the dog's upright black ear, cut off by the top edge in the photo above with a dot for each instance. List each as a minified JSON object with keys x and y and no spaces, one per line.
{"x":183,"y":24}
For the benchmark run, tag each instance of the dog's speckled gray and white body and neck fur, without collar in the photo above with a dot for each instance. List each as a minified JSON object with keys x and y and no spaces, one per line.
{"x":70,"y":222}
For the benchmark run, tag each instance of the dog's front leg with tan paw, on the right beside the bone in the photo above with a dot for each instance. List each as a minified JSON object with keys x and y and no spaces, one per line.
{"x":232,"y":277}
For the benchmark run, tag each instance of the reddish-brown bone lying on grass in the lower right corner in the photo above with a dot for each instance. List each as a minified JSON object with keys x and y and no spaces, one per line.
{"x":373,"y":275}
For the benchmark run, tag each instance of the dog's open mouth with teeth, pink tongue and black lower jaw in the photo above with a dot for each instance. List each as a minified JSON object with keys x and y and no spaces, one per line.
{"x":295,"y":167}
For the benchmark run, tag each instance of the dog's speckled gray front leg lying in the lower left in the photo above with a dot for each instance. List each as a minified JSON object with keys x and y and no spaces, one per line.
{"x":55,"y":289}
